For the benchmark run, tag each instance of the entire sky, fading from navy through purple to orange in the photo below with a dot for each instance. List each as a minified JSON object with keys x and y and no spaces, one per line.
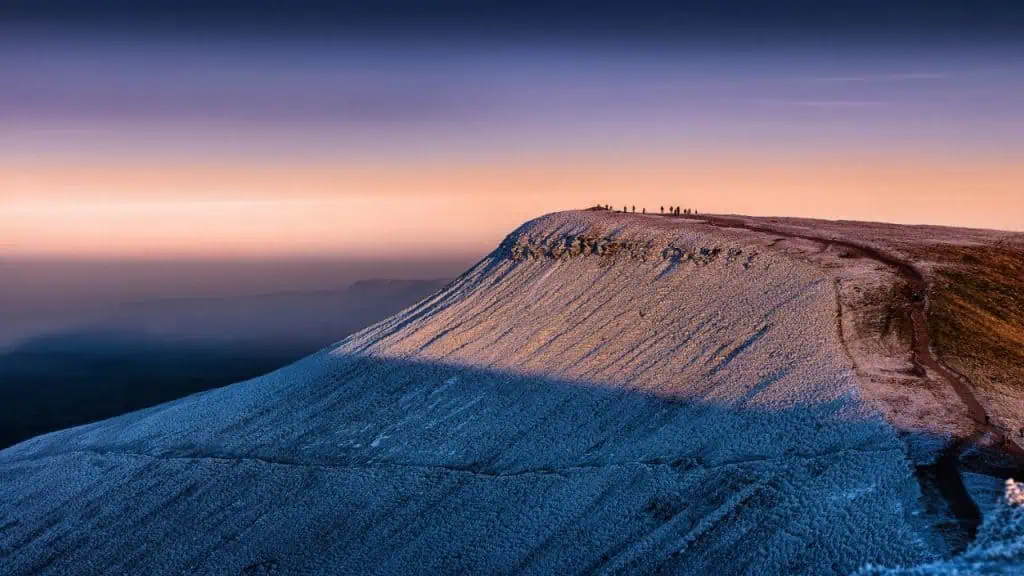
{"x":326,"y":129}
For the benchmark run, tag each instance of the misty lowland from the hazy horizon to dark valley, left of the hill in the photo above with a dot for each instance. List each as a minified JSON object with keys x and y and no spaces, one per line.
{"x":82,"y":342}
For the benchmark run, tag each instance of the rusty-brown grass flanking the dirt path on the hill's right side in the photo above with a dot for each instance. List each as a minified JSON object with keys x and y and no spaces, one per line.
{"x":975,"y":315}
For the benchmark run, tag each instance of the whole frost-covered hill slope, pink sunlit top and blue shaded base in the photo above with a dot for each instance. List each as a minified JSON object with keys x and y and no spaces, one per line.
{"x":602,"y":394}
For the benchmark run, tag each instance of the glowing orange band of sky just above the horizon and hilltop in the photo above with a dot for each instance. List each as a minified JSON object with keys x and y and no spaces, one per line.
{"x":240,"y":211}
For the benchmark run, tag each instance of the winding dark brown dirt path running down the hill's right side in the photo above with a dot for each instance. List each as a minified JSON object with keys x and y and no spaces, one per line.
{"x":949,"y":467}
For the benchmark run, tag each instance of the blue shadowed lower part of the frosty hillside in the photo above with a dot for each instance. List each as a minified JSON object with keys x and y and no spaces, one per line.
{"x":468,"y":457}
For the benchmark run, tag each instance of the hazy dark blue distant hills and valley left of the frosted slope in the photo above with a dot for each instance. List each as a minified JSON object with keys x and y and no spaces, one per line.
{"x":147,"y":353}
